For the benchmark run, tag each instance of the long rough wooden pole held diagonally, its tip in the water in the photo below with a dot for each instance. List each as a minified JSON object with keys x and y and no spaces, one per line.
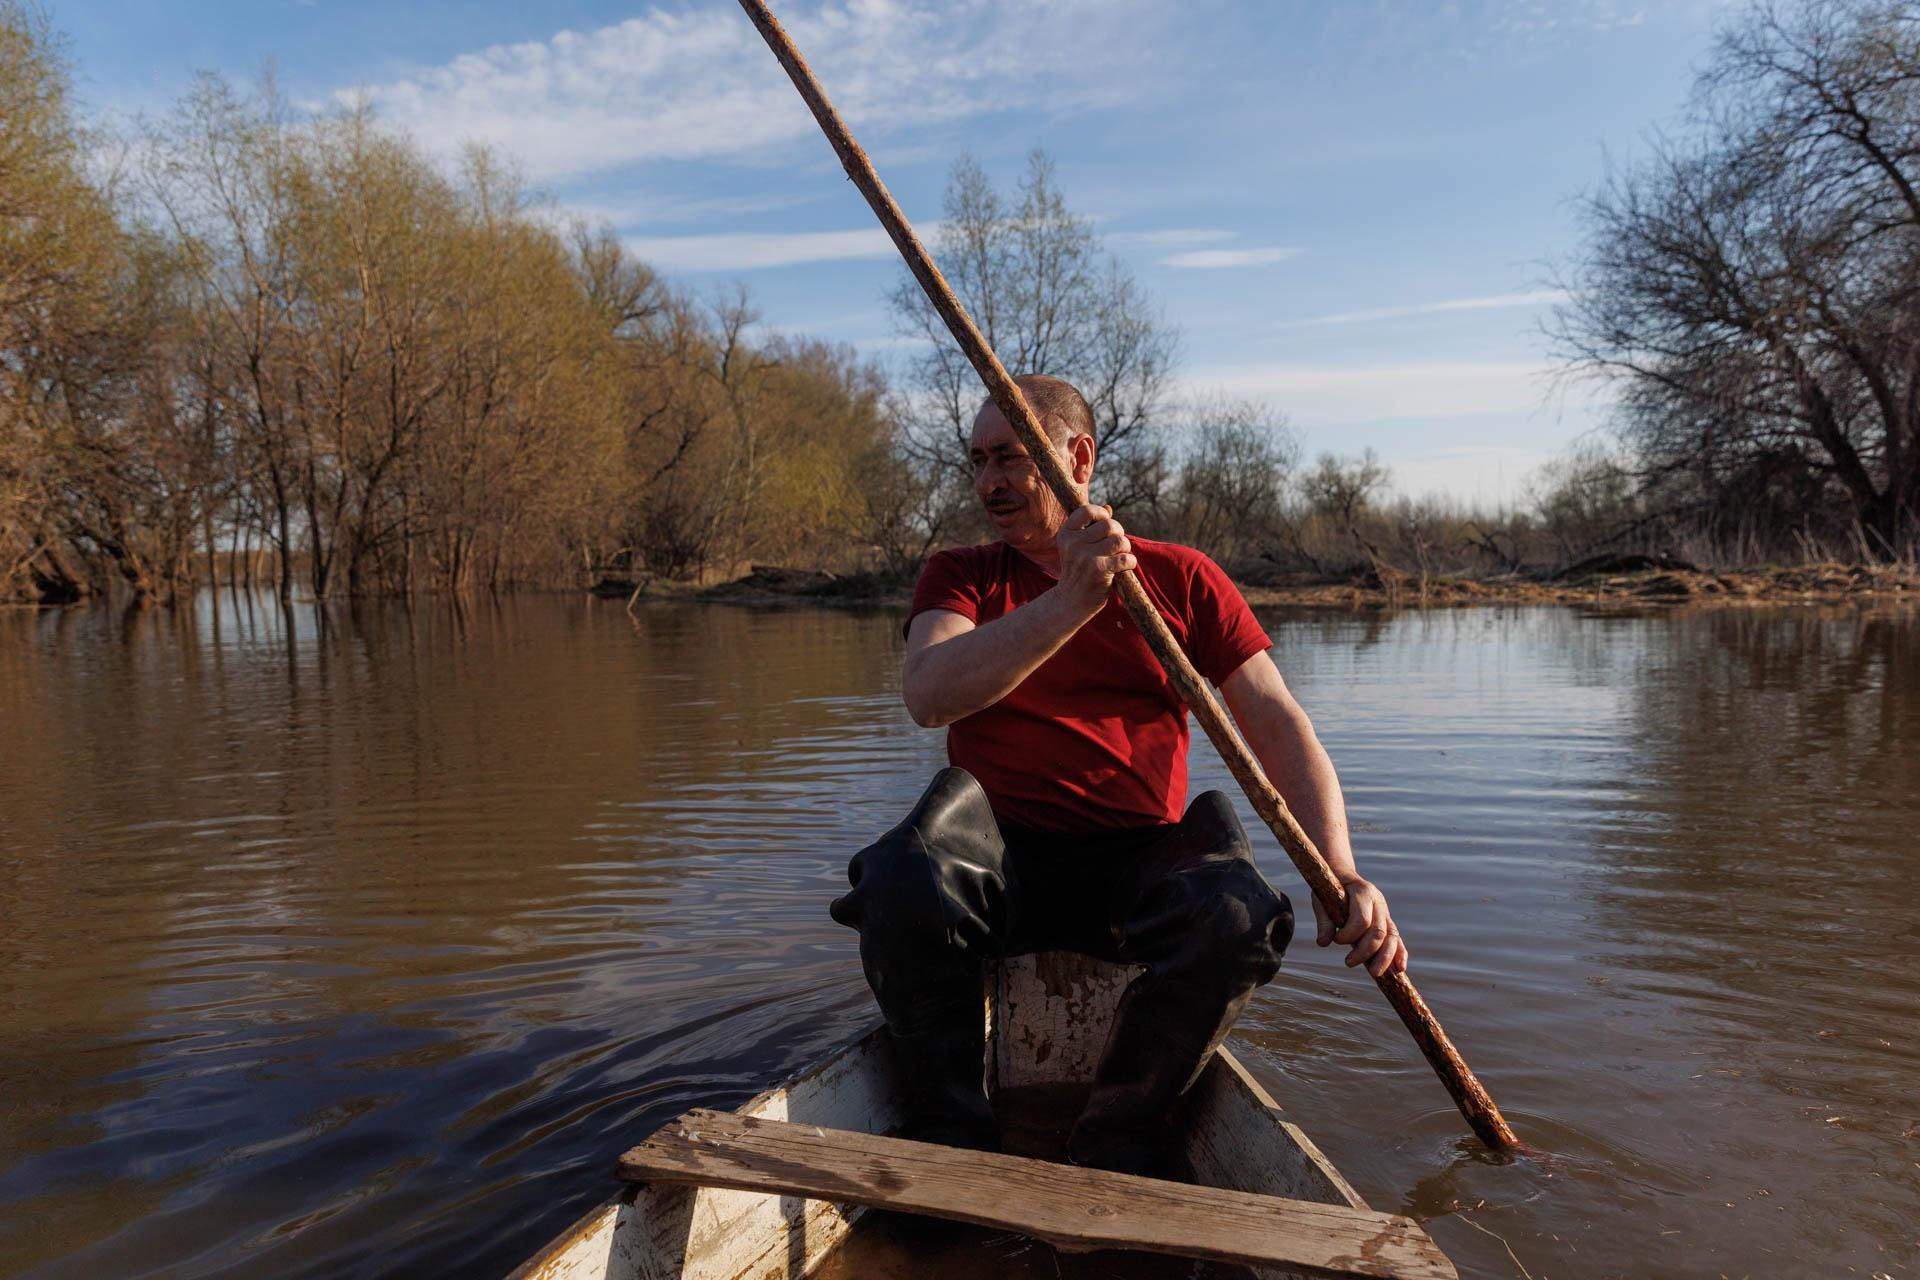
{"x":1468,"y":1093}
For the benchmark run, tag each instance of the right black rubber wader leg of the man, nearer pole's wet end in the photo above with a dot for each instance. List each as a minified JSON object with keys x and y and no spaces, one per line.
{"x":1211,"y":930}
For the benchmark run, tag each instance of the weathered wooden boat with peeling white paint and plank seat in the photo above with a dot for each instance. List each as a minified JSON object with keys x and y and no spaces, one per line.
{"x":782,"y":1218}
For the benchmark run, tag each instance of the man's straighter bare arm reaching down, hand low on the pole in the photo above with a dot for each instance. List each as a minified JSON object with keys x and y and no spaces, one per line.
{"x":1284,"y":740}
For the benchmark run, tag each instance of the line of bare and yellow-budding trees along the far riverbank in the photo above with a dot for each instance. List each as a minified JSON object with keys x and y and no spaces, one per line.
{"x":245,"y":346}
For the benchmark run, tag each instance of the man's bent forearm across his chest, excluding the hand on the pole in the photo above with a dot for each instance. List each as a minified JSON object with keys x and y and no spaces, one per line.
{"x":976,"y":669}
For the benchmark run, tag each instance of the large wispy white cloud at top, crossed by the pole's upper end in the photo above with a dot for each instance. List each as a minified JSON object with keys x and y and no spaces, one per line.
{"x":700,"y":85}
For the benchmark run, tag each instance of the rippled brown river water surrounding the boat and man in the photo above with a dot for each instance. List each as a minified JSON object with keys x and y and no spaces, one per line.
{"x":360,"y":941}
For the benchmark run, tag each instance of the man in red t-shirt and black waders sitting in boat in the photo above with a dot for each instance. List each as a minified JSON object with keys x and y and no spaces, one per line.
{"x":1061,"y":822}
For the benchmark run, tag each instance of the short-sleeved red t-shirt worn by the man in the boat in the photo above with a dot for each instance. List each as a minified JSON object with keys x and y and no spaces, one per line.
{"x":1097,"y":734}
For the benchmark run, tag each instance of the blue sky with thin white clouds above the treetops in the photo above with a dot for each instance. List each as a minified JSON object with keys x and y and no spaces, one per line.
{"x":1351,"y":210}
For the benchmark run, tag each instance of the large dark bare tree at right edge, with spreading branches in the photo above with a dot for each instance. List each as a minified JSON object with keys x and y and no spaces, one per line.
{"x":1756,"y":285}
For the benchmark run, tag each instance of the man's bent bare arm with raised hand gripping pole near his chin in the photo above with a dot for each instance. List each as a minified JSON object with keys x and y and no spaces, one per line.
{"x":955,"y":669}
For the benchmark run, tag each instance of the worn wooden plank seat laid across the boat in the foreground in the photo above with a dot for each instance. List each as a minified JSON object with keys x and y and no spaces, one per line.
{"x":1061,"y":1204}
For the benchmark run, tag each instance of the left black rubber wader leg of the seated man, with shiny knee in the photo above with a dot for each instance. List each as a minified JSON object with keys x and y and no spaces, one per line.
{"x":928,"y":901}
